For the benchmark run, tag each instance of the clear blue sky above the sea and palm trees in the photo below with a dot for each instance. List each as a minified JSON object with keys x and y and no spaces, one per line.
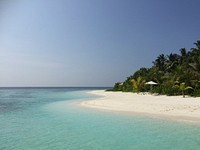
{"x":89,"y":42}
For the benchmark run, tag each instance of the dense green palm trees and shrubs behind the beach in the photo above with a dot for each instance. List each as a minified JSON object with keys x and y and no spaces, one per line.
{"x":176,"y":74}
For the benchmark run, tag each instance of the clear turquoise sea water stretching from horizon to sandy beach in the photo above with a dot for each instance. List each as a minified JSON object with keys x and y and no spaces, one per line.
{"x":51,"y":119}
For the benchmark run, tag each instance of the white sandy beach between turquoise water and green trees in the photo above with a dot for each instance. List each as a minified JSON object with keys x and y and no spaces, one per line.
{"x":173,"y":107}
